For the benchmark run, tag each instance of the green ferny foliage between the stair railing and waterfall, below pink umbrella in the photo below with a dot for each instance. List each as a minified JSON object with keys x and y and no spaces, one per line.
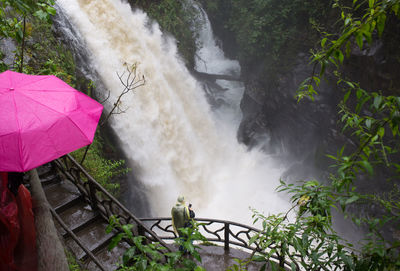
{"x":101,"y":169}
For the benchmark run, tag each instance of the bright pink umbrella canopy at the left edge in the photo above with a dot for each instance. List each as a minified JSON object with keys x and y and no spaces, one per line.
{"x":41,"y":119}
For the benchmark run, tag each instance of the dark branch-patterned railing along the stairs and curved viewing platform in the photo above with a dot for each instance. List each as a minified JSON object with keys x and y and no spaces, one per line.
{"x":228,"y":233}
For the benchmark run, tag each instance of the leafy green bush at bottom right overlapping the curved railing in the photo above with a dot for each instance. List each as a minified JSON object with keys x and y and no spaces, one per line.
{"x":310,"y":242}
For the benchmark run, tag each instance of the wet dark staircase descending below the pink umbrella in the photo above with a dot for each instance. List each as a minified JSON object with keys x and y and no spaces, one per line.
{"x":82,"y":230}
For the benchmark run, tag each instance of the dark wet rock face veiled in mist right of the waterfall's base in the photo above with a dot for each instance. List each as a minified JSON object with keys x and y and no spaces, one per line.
{"x":274,"y":118}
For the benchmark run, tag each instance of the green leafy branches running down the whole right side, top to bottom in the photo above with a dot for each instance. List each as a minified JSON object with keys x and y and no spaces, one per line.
{"x":371,"y":120}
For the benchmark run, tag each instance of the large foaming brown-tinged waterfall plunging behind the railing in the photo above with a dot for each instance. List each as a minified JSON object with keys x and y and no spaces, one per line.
{"x":177,"y":144}
